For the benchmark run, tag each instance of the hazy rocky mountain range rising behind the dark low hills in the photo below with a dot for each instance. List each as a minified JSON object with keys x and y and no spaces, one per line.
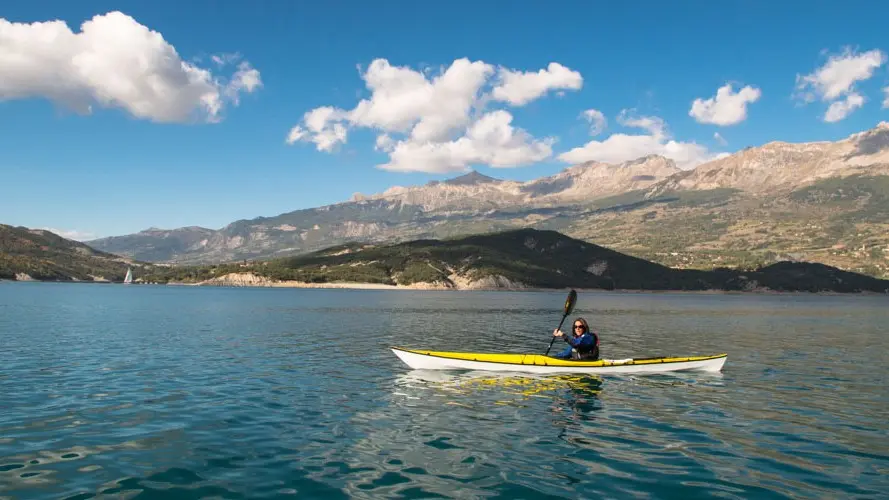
{"x":824,"y":202}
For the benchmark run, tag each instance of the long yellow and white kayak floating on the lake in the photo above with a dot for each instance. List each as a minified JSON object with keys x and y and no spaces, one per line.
{"x":538,"y":363}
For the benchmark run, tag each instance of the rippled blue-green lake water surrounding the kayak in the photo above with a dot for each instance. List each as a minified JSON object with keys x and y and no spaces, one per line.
{"x":112,"y":391}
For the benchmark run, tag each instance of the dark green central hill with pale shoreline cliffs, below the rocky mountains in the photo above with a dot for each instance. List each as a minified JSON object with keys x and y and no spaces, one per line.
{"x":521,"y":258}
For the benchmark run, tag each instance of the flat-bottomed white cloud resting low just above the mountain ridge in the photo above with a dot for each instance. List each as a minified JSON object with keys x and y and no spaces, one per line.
{"x":624,"y":147}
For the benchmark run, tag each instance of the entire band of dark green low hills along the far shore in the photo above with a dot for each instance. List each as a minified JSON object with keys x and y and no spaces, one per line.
{"x":523,"y":259}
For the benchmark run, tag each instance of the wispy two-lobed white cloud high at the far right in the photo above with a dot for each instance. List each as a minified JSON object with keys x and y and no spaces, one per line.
{"x":836,"y":79}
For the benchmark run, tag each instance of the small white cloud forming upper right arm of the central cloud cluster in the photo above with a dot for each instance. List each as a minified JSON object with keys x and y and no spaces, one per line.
{"x":521,"y":87}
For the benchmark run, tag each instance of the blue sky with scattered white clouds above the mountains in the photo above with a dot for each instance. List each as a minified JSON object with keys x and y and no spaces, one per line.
{"x":120,"y":116}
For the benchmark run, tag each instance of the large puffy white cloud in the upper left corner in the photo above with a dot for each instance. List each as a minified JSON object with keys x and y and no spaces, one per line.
{"x":114,"y":62}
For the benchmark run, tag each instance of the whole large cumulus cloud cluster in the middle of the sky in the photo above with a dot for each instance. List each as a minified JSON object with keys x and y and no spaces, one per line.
{"x":438,"y":122}
